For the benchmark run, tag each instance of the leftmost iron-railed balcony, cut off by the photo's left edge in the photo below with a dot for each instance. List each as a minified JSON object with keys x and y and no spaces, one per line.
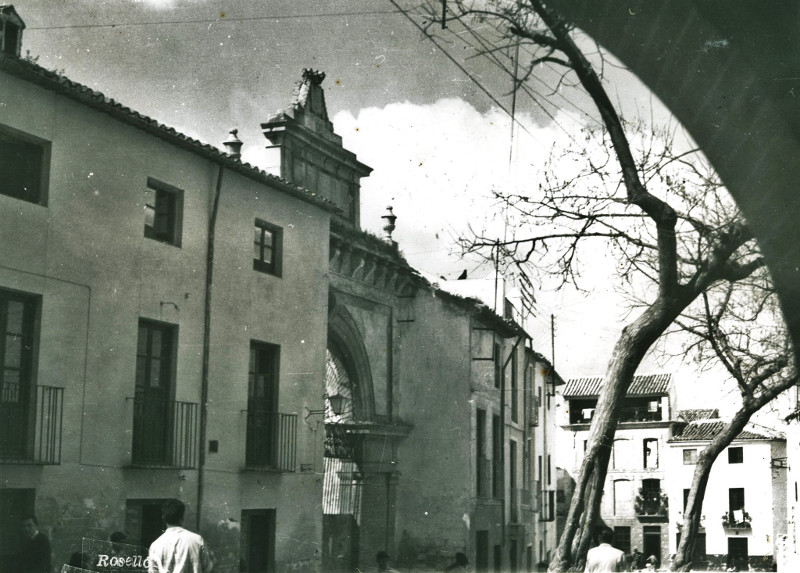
{"x":30,"y":424}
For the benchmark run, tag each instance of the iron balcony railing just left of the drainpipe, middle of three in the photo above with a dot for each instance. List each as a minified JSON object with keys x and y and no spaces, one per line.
{"x":165,"y":432}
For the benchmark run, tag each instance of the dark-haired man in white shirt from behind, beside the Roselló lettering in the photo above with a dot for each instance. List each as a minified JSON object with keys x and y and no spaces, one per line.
{"x":178,"y":550}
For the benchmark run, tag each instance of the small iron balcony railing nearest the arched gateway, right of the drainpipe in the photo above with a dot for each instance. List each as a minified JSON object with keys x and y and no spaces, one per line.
{"x":271,"y":441}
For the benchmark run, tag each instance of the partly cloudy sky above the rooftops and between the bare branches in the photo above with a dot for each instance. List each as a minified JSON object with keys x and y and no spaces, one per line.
{"x":438,"y":143}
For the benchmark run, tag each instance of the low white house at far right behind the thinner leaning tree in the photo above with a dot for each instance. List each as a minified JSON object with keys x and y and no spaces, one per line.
{"x":744,"y":509}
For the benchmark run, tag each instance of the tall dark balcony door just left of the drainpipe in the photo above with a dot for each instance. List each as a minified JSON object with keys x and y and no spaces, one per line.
{"x":153,"y":407}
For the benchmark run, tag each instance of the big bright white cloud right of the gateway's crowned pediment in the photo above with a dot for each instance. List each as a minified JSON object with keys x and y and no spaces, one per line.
{"x":438,"y":166}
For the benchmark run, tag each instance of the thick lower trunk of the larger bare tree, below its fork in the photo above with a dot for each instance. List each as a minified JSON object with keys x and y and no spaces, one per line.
{"x":584,"y":508}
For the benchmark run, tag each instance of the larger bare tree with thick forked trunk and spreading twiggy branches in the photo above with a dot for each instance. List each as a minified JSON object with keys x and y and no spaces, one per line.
{"x":657,"y":233}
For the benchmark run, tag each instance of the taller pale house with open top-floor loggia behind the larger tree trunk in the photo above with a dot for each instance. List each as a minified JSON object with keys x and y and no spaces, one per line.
{"x":635,"y":504}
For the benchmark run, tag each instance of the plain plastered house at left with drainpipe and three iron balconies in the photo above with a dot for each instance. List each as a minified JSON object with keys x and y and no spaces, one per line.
{"x":125,"y":379}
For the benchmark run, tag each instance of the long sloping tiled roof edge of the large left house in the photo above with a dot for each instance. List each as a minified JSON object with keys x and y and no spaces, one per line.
{"x":47,"y":79}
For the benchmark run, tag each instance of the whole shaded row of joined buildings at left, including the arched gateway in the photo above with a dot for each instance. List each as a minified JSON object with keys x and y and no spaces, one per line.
{"x":177,"y":323}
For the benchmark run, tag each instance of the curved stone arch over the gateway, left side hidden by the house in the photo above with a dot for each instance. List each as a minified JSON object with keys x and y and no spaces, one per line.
{"x":346,"y":352}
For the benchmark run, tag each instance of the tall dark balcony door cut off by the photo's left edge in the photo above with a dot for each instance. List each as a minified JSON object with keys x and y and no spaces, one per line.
{"x":17,"y":391}
